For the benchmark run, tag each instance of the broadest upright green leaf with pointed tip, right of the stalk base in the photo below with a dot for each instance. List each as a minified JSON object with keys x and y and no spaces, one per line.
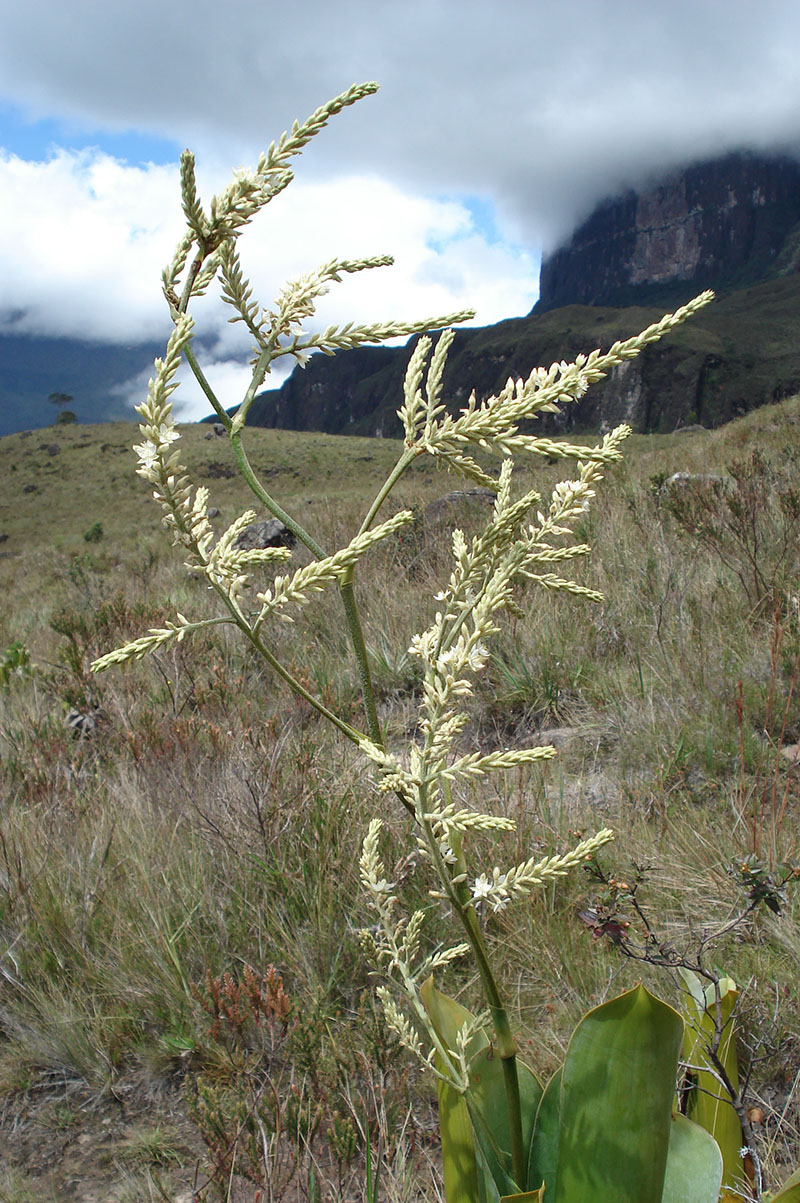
{"x":617,"y":1103}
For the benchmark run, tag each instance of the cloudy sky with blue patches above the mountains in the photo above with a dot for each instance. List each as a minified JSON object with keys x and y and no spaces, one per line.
{"x":499,"y":126}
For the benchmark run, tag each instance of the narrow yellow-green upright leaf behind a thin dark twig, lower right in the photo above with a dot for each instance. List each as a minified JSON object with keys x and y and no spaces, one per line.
{"x":708,"y":1104}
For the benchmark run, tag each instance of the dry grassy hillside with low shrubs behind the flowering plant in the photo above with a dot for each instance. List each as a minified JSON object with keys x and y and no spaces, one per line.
{"x":208,"y":822}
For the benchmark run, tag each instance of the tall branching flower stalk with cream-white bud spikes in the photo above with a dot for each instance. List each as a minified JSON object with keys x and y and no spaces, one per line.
{"x":525,"y":544}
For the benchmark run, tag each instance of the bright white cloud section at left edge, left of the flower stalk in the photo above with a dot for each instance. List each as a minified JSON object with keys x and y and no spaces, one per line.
{"x":82,"y":244}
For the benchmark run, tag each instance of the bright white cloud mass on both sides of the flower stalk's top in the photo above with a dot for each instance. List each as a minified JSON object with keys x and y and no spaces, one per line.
{"x":443,"y":263}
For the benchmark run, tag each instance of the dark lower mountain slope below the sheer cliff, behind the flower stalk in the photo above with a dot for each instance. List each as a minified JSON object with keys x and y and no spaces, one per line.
{"x":740,"y":353}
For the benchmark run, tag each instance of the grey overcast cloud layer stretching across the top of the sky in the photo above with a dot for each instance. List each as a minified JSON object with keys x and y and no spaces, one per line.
{"x":543,"y":106}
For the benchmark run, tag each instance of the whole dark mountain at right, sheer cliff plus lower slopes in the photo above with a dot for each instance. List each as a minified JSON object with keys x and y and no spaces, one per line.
{"x":733,"y":226}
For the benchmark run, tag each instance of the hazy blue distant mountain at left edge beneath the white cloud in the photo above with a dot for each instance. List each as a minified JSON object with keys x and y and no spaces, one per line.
{"x":32,"y":369}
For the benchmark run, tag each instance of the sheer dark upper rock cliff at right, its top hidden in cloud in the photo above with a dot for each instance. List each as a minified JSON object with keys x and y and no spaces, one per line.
{"x":722,"y":224}
